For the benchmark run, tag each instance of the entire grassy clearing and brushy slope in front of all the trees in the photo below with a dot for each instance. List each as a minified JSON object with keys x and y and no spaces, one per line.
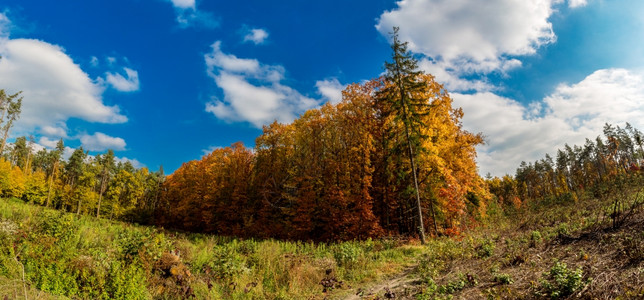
{"x":554,"y":248}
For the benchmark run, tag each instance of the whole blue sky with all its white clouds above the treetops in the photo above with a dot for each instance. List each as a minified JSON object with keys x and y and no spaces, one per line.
{"x":162,"y":82}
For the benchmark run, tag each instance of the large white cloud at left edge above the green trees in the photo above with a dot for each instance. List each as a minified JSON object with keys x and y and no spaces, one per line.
{"x":54,"y":87}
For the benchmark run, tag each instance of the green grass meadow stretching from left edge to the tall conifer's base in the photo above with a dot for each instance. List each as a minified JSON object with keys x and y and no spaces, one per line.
{"x":48,"y":254}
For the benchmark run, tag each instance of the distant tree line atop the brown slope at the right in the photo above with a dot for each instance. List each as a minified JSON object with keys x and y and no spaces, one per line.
{"x":575,"y":169}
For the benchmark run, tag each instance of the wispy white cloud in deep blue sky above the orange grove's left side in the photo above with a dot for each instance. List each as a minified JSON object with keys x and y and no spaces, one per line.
{"x":252,"y":91}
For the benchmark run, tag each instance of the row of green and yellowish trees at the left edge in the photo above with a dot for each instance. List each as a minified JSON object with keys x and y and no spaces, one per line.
{"x":84,"y":184}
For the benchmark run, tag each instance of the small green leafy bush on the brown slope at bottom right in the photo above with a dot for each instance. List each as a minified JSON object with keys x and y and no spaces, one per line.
{"x":561,"y":282}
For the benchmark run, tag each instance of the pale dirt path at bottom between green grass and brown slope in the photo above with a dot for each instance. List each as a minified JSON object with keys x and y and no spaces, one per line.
{"x":402,"y":286}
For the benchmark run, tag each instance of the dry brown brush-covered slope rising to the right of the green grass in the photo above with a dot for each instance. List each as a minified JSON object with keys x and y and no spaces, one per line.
{"x":553,"y":249}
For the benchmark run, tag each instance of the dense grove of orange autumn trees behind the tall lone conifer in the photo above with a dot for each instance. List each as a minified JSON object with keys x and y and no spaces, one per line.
{"x":333,"y":174}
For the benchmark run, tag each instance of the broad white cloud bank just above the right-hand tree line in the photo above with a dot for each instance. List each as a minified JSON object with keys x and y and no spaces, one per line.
{"x":515,"y":132}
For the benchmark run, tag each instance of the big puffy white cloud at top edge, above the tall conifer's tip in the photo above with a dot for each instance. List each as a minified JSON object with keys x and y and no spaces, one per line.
{"x":467,"y":36}
